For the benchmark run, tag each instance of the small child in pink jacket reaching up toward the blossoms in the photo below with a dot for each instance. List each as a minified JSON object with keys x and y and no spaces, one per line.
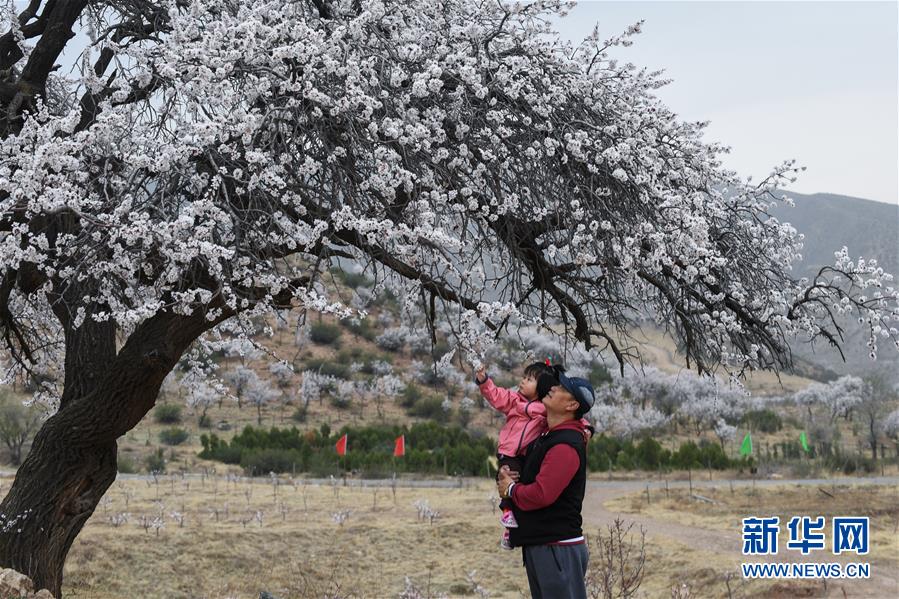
{"x":525,"y":421}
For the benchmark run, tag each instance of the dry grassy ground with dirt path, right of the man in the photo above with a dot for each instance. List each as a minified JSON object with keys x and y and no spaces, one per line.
{"x":707,"y":532}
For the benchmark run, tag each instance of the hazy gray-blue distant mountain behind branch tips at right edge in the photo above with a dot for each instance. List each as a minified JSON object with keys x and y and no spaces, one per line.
{"x":869,"y":230}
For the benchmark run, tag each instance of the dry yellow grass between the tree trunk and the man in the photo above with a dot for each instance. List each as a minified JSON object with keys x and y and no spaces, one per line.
{"x":239,"y":538}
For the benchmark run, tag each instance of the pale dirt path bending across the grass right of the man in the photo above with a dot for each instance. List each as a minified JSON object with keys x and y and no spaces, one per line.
{"x":884,"y":581}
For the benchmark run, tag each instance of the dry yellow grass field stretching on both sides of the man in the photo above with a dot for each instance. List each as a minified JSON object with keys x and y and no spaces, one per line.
{"x":226,"y":537}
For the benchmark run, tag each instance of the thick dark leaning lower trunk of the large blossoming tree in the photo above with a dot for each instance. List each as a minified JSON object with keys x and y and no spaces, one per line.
{"x":72,"y":461}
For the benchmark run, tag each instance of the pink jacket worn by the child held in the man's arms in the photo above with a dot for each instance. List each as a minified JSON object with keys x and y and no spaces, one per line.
{"x":525,"y":419}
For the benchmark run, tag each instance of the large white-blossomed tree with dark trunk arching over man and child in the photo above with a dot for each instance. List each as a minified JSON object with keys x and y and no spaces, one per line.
{"x":212,"y":156}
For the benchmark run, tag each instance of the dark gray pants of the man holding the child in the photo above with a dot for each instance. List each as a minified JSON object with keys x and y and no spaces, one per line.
{"x":556,"y":571}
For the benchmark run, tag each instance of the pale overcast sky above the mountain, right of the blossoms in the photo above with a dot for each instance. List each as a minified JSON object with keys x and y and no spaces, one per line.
{"x":814,"y":81}
